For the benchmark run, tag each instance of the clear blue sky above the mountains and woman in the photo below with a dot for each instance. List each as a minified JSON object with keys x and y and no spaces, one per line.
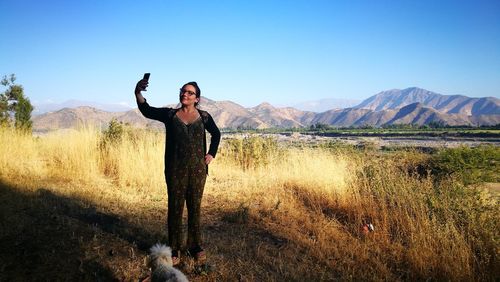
{"x":281,"y":52}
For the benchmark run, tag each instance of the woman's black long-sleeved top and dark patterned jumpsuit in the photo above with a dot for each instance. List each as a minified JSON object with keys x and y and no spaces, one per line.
{"x":185,"y":169}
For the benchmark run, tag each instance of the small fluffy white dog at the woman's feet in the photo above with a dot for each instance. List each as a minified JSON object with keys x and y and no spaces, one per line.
{"x":160,"y":262}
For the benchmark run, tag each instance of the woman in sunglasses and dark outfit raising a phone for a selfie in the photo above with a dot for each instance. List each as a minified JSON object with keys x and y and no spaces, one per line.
{"x":186,"y":162}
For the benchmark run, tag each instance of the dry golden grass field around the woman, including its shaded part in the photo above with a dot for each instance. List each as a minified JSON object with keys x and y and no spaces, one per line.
{"x":77,"y":206}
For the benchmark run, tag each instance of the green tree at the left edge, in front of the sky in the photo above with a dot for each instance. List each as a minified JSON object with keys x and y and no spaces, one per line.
{"x":15,"y":108}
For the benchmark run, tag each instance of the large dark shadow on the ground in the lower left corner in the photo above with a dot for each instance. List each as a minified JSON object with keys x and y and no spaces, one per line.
{"x":48,"y":236}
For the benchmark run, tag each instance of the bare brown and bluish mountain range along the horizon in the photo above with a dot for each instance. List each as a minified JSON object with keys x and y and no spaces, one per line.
{"x":408,"y":106}
